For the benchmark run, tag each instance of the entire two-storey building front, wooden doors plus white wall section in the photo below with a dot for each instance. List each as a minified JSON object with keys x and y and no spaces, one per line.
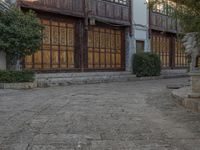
{"x":102,"y":35}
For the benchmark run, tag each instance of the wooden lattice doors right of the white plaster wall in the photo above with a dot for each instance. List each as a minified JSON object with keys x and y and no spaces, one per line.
{"x":170,"y":50}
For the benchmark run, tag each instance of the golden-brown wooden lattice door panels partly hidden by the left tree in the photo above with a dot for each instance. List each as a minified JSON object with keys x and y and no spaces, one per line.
{"x":57,"y":49}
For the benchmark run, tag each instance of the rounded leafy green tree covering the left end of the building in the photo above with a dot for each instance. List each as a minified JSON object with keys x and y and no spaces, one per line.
{"x":20,"y":34}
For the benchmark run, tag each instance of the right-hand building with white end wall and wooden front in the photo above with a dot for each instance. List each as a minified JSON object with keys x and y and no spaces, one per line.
{"x":156,"y":31}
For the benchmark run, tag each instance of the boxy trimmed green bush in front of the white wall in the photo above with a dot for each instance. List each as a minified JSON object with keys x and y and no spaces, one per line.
{"x":146,"y":64}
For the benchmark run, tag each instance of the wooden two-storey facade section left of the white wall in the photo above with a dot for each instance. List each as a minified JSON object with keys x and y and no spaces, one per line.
{"x":80,"y":35}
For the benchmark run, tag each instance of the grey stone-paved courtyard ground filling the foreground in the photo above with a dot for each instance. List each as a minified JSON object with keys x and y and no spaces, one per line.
{"x":114,"y":116}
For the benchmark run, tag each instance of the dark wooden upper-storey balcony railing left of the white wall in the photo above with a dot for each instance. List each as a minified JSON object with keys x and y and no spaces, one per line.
{"x":117,"y":11}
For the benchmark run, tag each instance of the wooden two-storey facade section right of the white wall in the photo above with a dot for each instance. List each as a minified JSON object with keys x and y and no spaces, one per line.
{"x":164,"y":33}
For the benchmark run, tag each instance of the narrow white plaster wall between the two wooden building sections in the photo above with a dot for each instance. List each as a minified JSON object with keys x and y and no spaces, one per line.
{"x":140,"y":30}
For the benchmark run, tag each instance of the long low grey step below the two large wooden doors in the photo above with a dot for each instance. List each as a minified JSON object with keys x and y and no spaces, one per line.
{"x":64,"y":79}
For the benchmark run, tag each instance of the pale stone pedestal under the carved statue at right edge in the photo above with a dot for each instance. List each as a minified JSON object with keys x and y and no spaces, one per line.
{"x":195,"y":82}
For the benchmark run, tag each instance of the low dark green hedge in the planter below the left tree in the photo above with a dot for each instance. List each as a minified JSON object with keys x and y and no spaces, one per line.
{"x":16,"y":76}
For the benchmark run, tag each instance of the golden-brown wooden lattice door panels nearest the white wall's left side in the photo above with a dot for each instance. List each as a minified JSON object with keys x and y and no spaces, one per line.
{"x":105,"y":48}
